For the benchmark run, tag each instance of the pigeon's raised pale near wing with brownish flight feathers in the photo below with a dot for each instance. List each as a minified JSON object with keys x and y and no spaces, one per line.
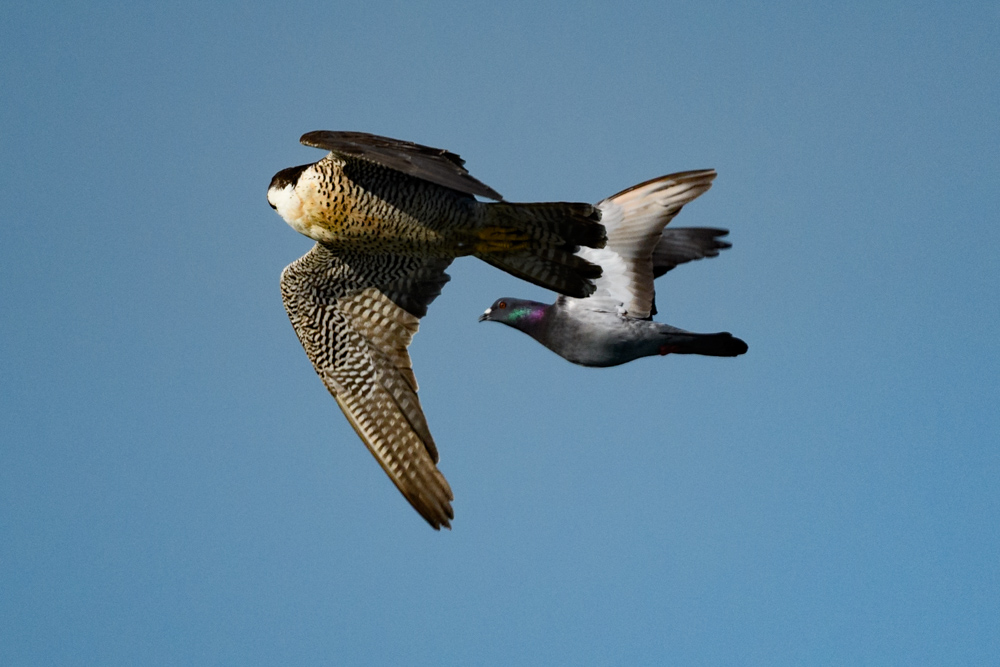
{"x":634,"y":219}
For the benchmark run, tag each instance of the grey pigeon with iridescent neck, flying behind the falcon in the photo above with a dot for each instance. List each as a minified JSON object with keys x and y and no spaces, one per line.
{"x":614,"y":325}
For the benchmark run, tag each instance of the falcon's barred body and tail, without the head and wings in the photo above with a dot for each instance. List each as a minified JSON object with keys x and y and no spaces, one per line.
{"x":356,"y":205}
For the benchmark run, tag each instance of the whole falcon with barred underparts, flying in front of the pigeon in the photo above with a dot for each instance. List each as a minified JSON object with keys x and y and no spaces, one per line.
{"x":388,"y":217}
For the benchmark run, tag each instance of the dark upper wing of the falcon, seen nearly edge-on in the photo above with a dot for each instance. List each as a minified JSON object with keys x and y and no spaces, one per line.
{"x":431,"y":164}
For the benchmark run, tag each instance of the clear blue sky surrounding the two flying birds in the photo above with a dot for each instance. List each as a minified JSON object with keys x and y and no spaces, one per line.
{"x":177,"y":486}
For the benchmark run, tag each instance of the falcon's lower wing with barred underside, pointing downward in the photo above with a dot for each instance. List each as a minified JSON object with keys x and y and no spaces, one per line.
{"x":355,"y":315}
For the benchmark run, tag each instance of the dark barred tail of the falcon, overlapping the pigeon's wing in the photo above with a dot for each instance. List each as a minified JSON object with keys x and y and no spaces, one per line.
{"x":537,"y":242}
